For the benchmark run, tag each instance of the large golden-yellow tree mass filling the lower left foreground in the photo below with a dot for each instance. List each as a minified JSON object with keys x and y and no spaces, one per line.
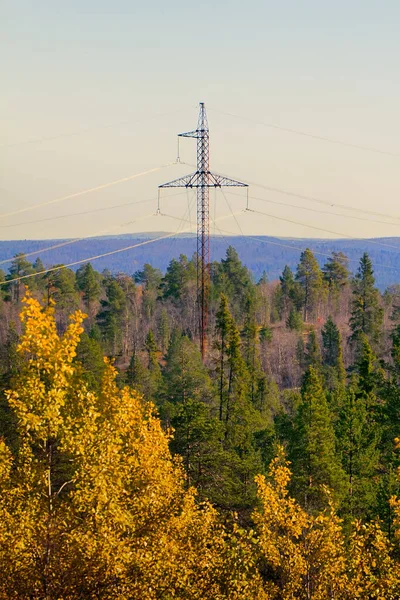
{"x":93,"y":505}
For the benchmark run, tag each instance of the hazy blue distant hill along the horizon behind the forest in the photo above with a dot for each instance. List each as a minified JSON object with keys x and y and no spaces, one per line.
{"x":271,"y":254}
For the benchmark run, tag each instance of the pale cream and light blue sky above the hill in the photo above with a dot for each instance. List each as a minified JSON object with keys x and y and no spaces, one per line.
{"x":95,"y":91}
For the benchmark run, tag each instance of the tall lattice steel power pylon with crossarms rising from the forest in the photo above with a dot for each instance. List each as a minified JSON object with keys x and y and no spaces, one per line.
{"x":202,"y":179}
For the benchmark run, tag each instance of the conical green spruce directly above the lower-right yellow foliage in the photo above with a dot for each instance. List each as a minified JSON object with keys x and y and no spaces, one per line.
{"x":313,"y":451}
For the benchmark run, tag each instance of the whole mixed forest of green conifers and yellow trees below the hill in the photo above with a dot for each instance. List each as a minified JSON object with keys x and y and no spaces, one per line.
{"x":130,"y":468}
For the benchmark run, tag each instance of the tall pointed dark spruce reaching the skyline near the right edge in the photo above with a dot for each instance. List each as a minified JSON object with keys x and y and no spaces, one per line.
{"x":366,"y":311}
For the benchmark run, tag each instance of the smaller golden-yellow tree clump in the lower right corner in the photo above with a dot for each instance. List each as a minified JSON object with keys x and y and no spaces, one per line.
{"x":305,"y":556}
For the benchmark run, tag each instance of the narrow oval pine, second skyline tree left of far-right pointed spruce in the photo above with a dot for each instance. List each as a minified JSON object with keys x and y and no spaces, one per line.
{"x":309,"y":276}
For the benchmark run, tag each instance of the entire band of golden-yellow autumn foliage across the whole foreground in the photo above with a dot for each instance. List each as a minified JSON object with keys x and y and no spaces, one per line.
{"x":93,"y":505}
